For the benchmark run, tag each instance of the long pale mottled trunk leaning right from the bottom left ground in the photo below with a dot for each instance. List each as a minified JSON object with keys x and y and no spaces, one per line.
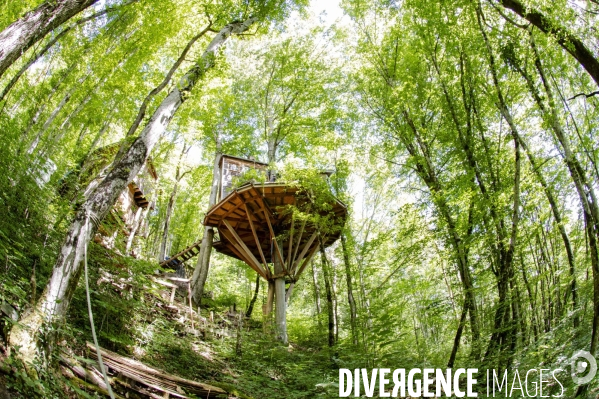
{"x":55,"y":299}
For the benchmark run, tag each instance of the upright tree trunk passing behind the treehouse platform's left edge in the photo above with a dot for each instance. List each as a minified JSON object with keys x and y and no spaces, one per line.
{"x":200,"y":273}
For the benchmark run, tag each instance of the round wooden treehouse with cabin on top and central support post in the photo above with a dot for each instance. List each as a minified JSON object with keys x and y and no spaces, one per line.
{"x":275,"y":228}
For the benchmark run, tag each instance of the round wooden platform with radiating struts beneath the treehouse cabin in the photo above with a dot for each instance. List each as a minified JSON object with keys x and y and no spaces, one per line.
{"x":249,"y":219}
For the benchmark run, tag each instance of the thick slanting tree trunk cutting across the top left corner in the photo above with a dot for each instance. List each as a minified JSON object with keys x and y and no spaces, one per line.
{"x":35,"y":25}
